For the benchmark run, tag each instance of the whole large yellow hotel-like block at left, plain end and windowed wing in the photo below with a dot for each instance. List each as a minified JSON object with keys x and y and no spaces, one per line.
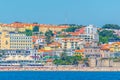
{"x":12,"y":40}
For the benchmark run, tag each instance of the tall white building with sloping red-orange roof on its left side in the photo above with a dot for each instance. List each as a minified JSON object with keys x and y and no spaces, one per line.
{"x":88,"y":33}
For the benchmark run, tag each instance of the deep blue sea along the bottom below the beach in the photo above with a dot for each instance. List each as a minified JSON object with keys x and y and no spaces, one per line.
{"x":58,"y":75}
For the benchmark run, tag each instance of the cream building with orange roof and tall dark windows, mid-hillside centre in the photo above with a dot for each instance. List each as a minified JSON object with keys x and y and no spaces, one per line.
{"x":72,"y":43}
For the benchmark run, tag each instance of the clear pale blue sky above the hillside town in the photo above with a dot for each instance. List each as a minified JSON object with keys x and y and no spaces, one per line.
{"x":97,"y":12}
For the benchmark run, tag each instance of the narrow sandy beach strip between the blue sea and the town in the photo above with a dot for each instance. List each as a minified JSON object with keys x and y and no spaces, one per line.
{"x":82,"y":69}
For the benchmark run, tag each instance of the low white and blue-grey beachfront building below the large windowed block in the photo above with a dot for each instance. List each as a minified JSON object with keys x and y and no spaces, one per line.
{"x":16,"y":57}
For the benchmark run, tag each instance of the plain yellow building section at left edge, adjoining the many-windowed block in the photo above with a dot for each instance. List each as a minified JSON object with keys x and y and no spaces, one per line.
{"x":4,"y":40}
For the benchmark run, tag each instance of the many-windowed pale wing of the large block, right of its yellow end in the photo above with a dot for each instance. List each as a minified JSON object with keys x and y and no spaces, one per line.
{"x":20,"y":41}
